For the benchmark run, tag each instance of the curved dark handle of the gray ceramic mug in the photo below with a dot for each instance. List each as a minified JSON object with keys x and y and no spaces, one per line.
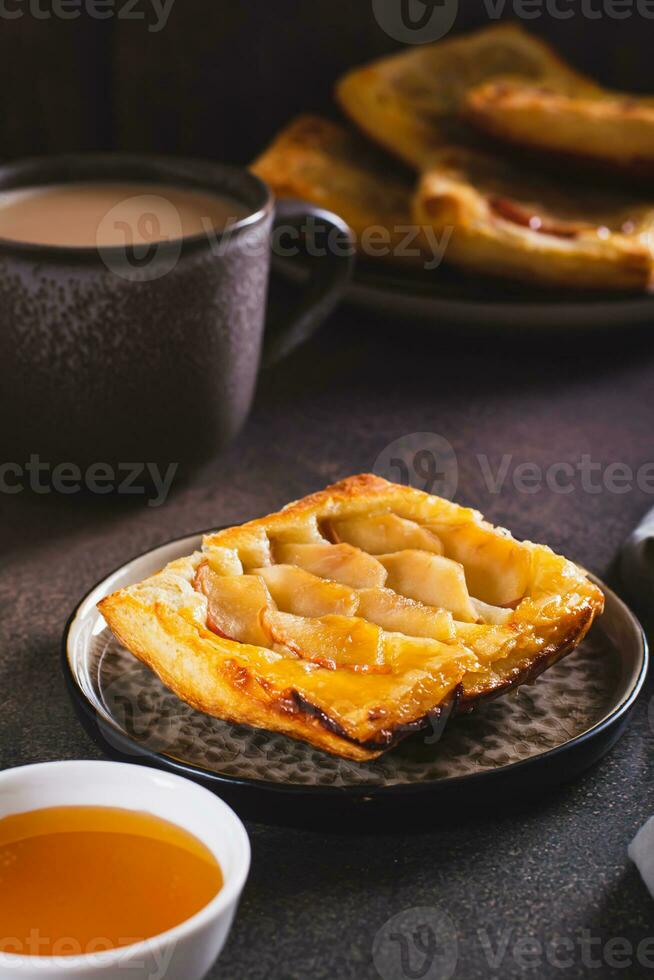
{"x":326,"y":284}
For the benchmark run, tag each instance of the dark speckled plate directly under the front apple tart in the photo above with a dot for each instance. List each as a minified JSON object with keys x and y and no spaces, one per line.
{"x":544,"y":732}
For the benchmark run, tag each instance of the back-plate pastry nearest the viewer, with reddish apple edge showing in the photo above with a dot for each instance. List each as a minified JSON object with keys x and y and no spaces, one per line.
{"x":507,"y":222}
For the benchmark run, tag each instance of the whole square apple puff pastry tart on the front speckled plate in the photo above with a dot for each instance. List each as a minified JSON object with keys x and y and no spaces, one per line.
{"x":354,"y":616}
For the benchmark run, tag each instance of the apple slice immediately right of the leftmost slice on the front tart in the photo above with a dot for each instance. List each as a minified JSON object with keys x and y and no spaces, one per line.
{"x":299,"y":592}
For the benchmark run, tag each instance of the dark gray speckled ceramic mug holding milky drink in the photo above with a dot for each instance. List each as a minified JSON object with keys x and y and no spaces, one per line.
{"x":109,"y":356}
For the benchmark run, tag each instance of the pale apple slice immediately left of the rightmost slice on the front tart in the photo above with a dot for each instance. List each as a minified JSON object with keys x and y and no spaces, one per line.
{"x":431,"y":579}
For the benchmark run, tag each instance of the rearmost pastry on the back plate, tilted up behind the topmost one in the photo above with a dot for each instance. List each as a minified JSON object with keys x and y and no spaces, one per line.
{"x":411,"y":102}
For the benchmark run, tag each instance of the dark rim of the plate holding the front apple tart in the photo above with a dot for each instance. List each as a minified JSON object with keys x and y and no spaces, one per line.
{"x":618,"y":715}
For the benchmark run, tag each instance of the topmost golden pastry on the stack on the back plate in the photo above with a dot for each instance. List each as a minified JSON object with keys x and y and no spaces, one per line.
{"x":613,"y":131}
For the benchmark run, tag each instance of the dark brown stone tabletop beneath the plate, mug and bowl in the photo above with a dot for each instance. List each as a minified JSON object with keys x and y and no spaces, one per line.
{"x":510,"y":874}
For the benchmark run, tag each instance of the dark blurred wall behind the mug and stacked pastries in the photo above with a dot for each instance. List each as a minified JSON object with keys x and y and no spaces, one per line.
{"x":222,"y":76}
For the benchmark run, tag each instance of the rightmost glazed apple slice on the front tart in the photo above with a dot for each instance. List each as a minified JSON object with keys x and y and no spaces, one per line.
{"x":498,"y":568}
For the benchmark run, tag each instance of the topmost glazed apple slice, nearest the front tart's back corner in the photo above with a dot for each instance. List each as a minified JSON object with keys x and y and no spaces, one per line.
{"x":382,"y":534}
